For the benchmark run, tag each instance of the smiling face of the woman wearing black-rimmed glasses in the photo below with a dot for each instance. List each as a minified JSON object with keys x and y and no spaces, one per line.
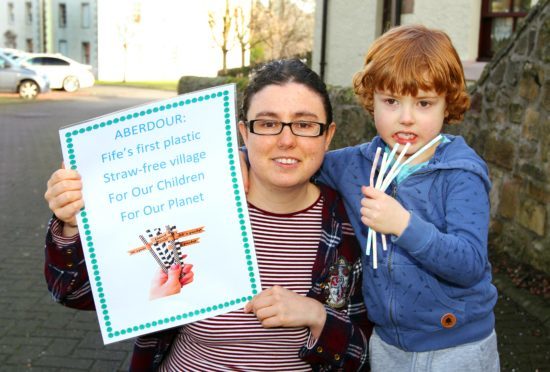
{"x":285,"y":160}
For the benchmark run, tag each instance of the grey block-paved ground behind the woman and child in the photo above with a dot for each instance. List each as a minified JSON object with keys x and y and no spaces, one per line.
{"x":38,"y":335}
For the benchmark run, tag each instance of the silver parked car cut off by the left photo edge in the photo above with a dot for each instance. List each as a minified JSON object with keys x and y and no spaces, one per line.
{"x":18,"y":79}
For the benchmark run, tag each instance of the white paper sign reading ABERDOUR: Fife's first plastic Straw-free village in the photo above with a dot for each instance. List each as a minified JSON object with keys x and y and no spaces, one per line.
{"x":165,"y":172}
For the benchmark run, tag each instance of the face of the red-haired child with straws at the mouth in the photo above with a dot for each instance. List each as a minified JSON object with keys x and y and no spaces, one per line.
{"x":407,"y":119}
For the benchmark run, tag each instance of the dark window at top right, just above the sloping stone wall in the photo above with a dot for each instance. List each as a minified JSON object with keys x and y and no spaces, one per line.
{"x":499,"y":19}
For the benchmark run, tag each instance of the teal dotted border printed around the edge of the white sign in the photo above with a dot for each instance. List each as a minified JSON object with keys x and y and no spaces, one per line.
{"x":95,"y":274}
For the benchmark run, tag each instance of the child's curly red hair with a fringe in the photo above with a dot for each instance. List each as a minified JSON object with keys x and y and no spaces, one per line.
{"x":410,"y":58}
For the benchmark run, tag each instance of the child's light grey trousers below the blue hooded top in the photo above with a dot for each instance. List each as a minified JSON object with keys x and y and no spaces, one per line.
{"x":479,"y":356}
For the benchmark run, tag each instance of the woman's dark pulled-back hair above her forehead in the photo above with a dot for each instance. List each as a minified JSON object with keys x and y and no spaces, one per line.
{"x":284,"y":71}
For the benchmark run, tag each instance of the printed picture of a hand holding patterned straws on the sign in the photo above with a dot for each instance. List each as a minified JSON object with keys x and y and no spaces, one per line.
{"x":166,"y":249}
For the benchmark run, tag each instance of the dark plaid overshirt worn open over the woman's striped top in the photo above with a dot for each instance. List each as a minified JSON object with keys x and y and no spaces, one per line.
{"x":342,"y":344}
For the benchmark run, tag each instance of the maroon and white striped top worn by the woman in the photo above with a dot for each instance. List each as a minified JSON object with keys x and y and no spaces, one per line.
{"x":286,"y":248}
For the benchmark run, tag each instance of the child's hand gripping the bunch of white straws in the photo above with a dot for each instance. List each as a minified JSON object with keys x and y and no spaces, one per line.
{"x":383,"y":213}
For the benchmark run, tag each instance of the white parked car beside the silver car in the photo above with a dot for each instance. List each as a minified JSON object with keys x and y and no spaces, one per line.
{"x":62,"y":72}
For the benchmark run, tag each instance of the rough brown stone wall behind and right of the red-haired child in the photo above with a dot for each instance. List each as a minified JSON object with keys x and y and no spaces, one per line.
{"x":508,"y":125}
